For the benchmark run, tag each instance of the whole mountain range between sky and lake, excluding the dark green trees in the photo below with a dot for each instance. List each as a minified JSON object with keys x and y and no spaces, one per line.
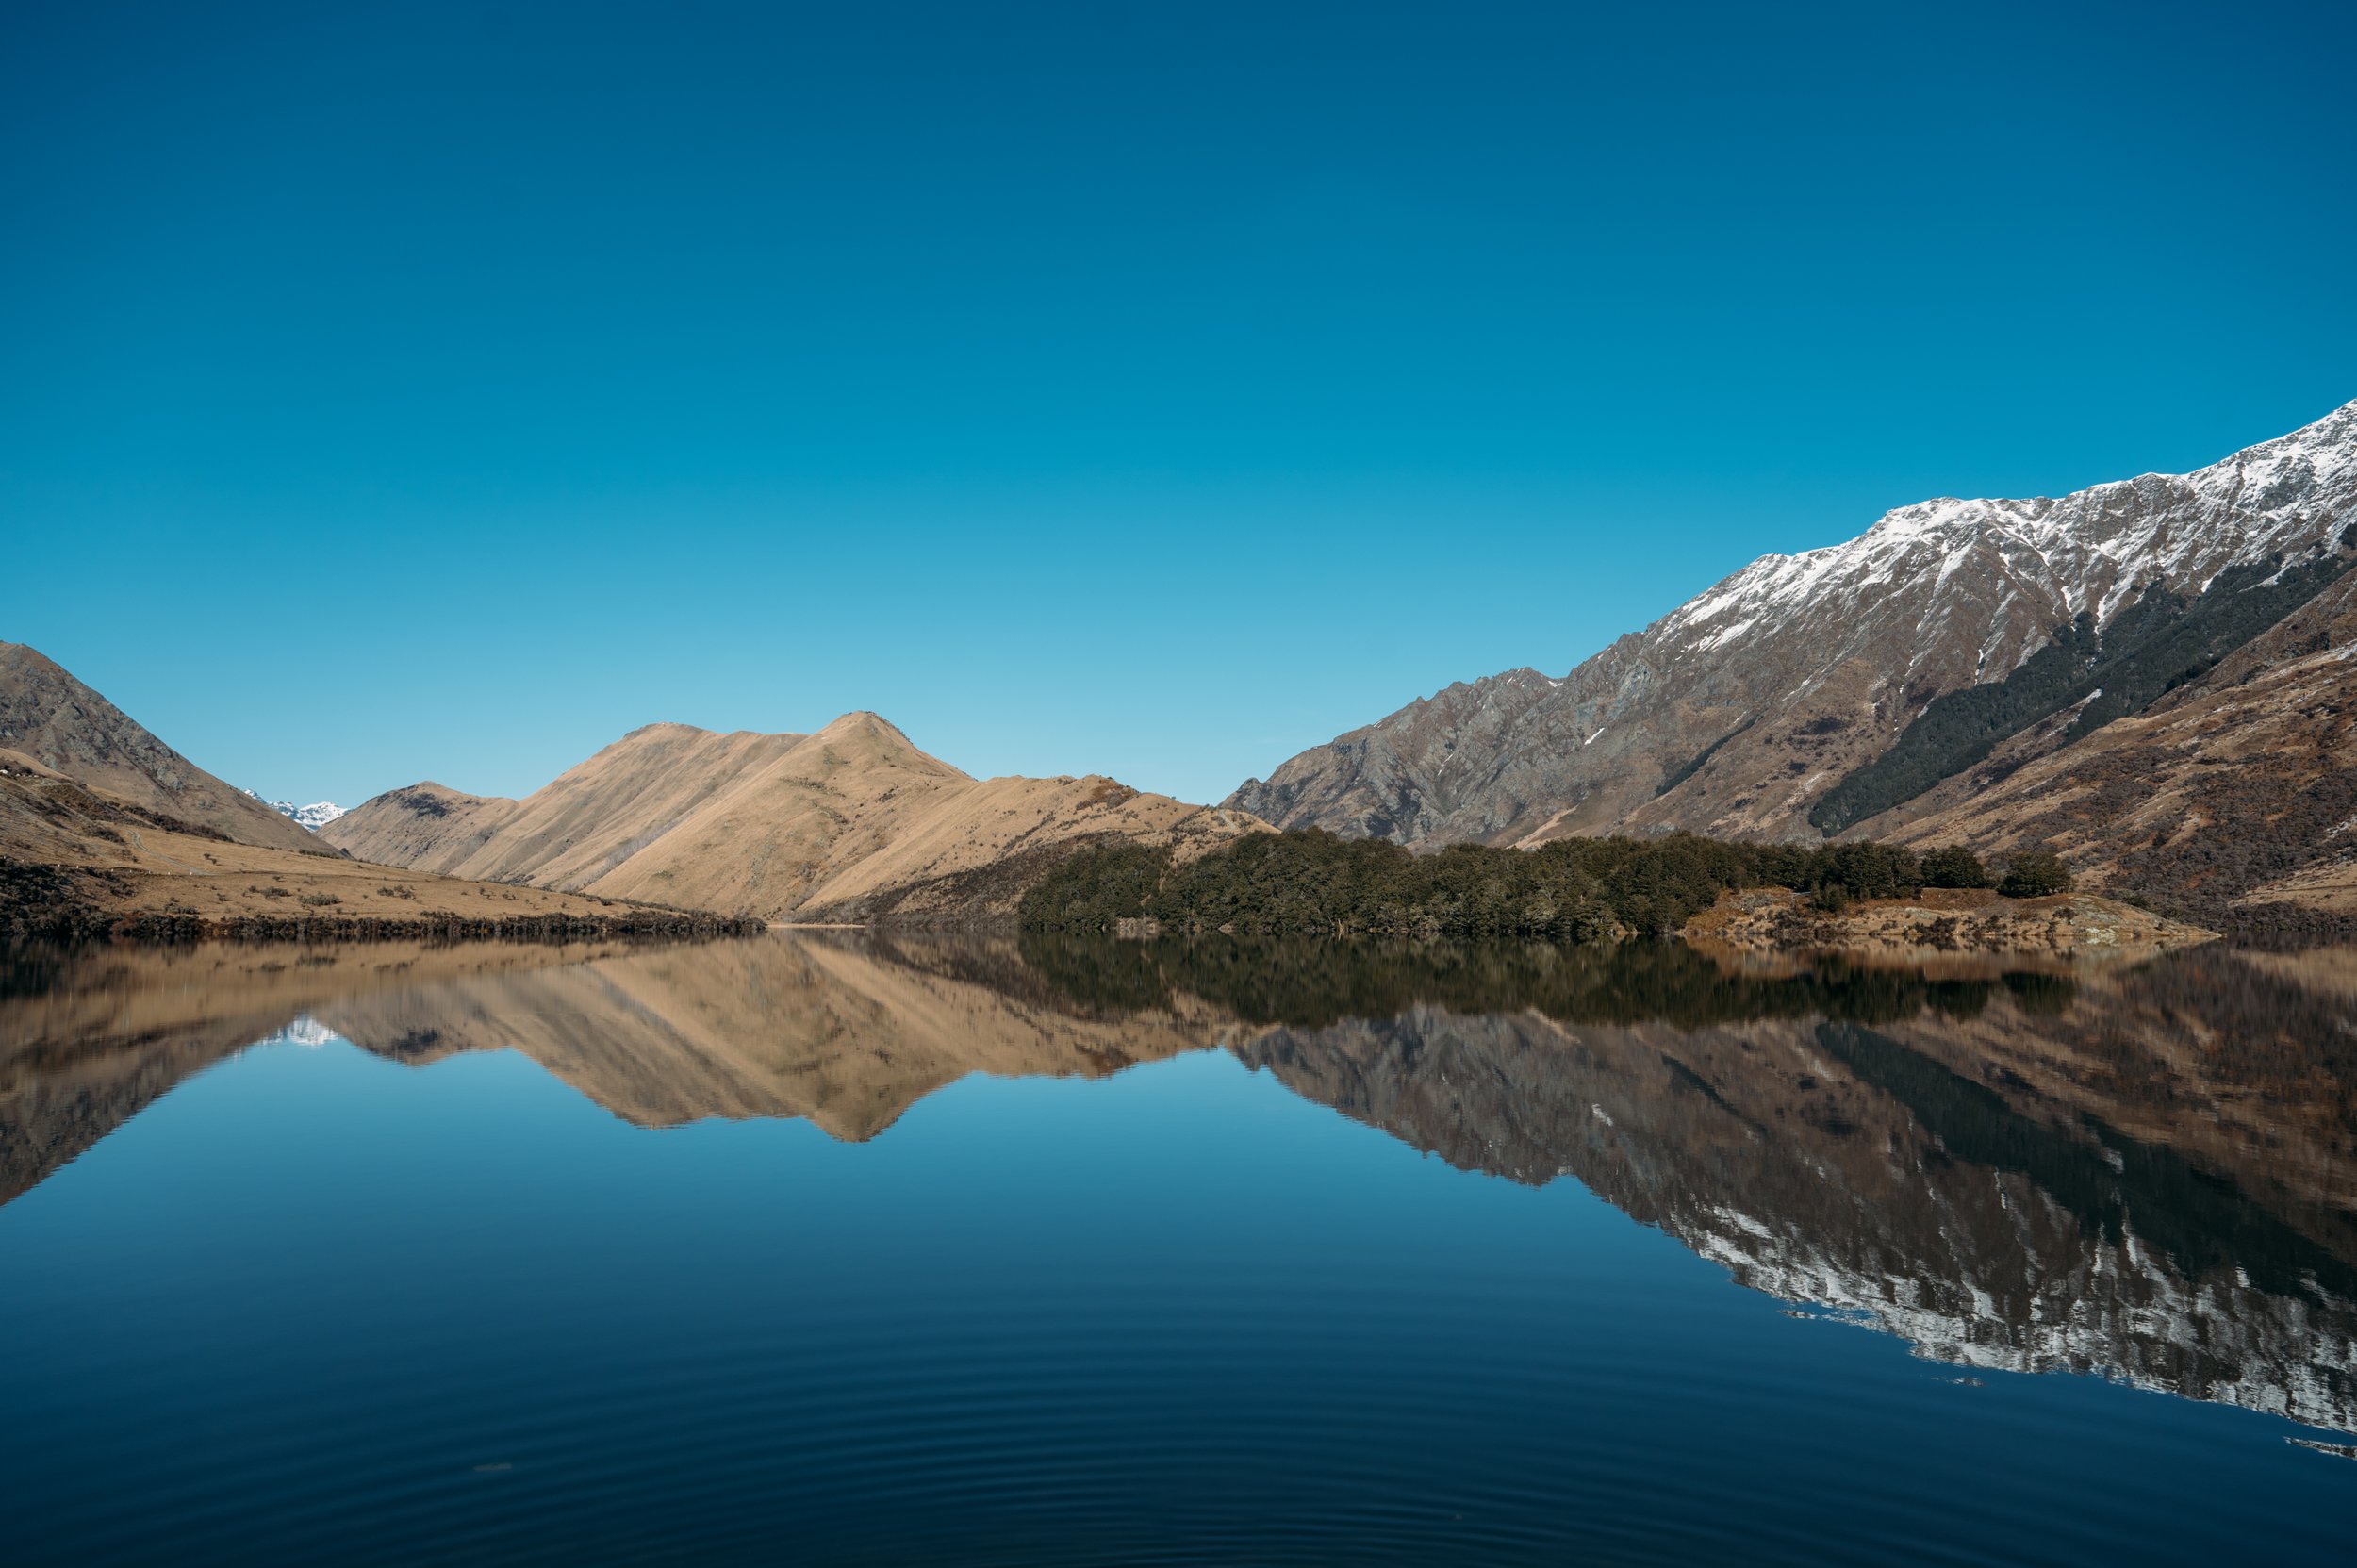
{"x":2148,"y":680}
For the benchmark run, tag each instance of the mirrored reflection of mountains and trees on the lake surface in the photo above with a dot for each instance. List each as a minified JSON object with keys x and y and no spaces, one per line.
{"x":2139,"y":1173}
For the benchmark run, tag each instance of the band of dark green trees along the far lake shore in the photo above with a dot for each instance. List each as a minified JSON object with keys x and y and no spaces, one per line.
{"x":1571,"y":890}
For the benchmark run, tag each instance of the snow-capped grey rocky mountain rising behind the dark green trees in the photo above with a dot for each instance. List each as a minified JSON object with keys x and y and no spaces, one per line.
{"x":1816,"y":694}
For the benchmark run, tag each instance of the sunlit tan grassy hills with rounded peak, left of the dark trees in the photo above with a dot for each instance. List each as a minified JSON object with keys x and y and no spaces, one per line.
{"x":843,"y":824}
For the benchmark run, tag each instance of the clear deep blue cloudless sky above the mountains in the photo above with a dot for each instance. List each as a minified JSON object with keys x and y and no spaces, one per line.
{"x":444,"y":390}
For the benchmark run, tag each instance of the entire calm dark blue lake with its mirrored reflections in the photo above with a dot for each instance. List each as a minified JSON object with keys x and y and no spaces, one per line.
{"x":859,"y":1253}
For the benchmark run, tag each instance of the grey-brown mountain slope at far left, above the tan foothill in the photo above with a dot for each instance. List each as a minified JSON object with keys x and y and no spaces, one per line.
{"x":70,"y":730}
